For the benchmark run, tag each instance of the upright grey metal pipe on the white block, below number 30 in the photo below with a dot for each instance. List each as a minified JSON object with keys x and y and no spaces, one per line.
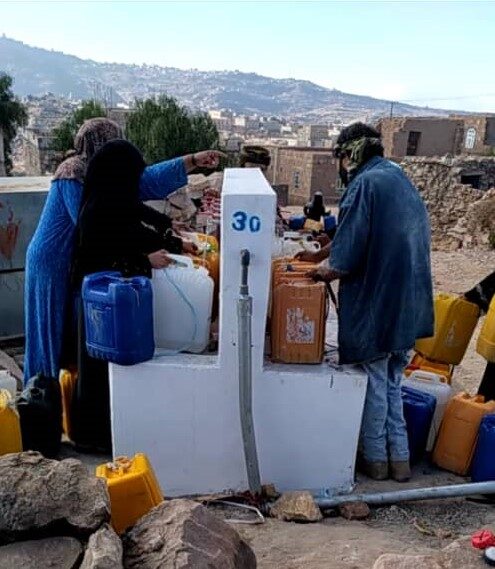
{"x":244,"y":314}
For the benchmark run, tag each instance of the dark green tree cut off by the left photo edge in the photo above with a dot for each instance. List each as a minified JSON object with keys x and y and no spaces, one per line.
{"x":13,"y":115}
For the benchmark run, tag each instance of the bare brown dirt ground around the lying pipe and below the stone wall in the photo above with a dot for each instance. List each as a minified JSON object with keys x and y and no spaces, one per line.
{"x":414,"y":528}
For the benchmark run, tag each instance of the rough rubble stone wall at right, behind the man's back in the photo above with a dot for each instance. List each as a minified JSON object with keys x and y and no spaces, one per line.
{"x":461,"y":216}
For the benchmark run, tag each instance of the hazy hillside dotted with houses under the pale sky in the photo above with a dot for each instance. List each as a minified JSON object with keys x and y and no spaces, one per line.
{"x":37,"y":71}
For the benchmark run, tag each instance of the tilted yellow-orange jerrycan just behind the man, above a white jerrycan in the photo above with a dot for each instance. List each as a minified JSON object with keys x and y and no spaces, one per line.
{"x":455,"y":321}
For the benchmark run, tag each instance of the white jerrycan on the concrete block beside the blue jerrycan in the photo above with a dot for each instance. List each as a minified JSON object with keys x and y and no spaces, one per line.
{"x":182,"y":302}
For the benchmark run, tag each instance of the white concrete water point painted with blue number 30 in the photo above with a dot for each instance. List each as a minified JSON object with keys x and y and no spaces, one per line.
{"x":183,"y":410}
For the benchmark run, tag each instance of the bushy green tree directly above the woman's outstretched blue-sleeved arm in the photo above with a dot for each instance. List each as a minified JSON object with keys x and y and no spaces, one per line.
{"x":162,"y":129}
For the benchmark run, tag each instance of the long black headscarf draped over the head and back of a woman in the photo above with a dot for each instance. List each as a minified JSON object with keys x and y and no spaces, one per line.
{"x":109,"y":235}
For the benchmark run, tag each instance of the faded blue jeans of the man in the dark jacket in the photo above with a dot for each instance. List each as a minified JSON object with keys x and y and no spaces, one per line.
{"x":383,"y":430}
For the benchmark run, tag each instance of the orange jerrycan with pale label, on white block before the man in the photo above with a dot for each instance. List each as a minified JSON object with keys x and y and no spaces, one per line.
{"x":298,"y":322}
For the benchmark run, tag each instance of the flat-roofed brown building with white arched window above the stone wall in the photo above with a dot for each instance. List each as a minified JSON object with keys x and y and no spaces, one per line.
{"x":425,"y":136}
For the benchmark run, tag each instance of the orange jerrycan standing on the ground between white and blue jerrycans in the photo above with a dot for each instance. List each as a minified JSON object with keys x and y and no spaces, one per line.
{"x":459,"y":432}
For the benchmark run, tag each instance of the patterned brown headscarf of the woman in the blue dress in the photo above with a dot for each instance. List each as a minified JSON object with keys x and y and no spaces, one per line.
{"x":92,"y":135}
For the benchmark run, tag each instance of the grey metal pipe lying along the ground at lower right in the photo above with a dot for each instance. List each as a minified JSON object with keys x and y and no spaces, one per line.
{"x":380,"y":498}
